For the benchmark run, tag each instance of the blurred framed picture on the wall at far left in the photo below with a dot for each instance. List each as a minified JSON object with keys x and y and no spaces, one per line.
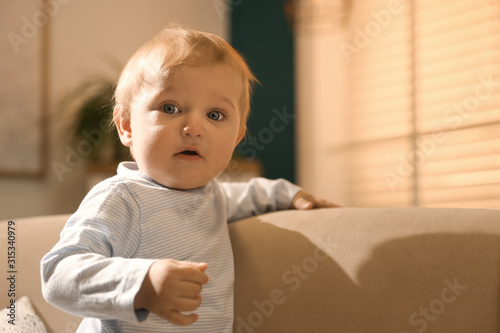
{"x":23,"y":88}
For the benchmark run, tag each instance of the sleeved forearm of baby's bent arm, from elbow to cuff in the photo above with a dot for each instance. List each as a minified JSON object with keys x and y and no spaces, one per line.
{"x":92,"y":285}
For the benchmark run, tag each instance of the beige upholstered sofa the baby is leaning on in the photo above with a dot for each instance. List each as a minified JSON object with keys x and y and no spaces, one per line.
{"x":329,"y":270}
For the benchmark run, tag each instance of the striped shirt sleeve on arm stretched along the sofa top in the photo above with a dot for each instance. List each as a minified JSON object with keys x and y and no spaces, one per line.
{"x":258,"y":196}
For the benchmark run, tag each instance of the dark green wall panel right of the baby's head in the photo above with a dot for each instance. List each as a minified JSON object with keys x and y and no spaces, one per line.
{"x":259,"y":31}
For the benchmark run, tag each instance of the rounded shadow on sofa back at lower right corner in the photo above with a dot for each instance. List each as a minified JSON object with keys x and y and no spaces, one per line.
{"x":435,"y":282}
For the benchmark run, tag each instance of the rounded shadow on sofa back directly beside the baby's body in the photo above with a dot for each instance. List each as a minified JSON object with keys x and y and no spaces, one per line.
{"x":285,"y":283}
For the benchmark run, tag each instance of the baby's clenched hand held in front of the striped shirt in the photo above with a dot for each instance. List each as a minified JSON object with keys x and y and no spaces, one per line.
{"x":172,"y":287}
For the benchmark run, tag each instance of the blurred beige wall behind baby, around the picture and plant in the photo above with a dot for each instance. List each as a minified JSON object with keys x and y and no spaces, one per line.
{"x":84,"y":35}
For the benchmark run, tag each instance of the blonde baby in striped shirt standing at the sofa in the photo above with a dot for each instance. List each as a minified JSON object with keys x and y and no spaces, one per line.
{"x":148,"y":250}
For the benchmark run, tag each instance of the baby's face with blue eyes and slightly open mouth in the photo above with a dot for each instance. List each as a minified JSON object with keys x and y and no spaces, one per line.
{"x":184,"y":135}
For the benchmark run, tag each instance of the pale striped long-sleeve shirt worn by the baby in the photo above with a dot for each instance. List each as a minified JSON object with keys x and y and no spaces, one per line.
{"x":126,"y":223}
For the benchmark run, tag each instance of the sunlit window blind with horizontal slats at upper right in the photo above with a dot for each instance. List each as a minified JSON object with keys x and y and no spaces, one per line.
{"x":423,"y":103}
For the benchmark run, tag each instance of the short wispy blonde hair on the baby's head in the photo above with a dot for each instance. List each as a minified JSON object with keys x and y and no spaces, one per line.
{"x":171,"y":49}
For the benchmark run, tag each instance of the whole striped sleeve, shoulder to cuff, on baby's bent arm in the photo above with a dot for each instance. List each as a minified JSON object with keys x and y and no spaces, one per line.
{"x":91,"y":271}
